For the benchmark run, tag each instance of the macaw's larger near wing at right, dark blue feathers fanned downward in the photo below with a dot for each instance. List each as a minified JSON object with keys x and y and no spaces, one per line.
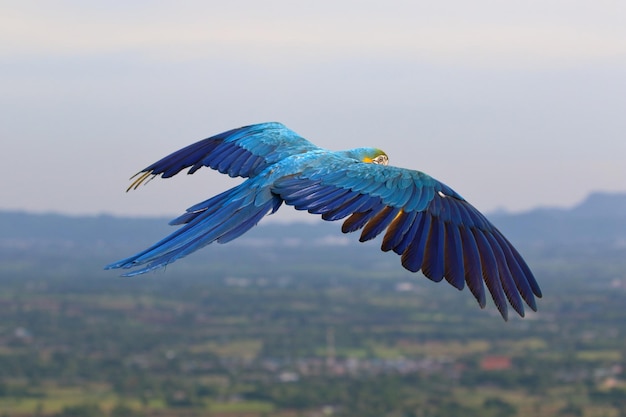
{"x":432,"y":227}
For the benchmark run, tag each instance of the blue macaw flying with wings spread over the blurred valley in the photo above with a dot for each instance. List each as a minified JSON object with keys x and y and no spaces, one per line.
{"x":428,"y":224}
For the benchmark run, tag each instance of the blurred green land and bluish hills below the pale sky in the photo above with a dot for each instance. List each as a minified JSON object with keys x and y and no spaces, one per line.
{"x":300,"y":320}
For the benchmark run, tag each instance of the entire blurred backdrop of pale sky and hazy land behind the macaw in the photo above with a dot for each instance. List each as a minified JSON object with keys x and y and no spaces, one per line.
{"x":517,"y":105}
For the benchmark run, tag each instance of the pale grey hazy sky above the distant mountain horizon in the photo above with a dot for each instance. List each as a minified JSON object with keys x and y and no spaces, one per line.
{"x":514,"y":104}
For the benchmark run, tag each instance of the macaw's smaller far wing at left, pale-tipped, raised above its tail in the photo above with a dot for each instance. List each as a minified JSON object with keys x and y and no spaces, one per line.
{"x":243,"y":152}
